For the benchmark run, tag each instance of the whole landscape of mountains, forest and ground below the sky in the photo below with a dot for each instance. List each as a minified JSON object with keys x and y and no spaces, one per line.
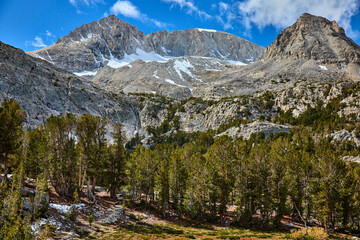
{"x":197,"y":134}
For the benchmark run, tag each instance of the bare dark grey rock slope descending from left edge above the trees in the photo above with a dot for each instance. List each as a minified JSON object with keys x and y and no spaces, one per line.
{"x":43,"y":89}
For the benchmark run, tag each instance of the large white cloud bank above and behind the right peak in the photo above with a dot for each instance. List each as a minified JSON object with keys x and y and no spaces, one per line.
{"x":283,"y":13}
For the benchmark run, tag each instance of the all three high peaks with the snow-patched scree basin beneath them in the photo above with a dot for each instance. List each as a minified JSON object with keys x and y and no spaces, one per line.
{"x":313,"y":49}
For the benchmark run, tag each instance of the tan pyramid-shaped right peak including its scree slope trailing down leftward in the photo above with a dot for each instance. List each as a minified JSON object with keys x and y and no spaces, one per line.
{"x":313,"y":49}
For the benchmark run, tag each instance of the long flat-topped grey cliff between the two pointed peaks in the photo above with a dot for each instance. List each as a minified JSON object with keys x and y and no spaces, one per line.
{"x":205,"y":43}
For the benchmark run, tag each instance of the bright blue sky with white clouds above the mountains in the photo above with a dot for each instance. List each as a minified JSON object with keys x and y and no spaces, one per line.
{"x":33,"y":24}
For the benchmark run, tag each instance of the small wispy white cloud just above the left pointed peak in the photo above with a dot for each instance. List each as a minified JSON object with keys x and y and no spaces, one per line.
{"x":128,"y":9}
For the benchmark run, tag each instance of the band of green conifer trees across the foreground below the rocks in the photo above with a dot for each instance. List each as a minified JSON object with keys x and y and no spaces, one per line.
{"x":299,"y":173}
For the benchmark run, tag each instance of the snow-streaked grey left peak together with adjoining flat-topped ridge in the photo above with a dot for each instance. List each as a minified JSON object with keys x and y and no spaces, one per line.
{"x":115,"y":43}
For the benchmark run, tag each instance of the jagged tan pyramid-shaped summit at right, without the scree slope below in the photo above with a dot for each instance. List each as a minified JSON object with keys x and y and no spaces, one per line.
{"x":316,"y":38}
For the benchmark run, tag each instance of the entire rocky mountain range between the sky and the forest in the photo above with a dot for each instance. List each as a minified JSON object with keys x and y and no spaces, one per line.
{"x":109,"y":68}
